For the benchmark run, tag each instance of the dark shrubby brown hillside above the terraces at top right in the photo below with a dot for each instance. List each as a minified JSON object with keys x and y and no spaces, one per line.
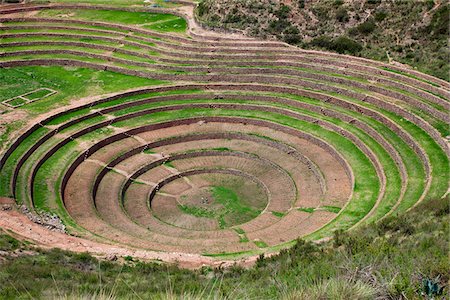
{"x":411,"y":32}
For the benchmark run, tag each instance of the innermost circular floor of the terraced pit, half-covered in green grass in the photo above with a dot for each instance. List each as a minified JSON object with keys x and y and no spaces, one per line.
{"x":210,"y":201}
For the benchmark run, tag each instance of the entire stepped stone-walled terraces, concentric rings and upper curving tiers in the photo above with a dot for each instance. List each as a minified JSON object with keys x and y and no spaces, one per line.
{"x":243,"y":147}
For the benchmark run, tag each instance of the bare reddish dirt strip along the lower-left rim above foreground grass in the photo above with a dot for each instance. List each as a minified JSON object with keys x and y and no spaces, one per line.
{"x":24,"y":228}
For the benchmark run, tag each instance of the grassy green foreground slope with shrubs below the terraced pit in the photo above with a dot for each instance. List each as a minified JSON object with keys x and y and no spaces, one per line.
{"x":400,"y":257}
